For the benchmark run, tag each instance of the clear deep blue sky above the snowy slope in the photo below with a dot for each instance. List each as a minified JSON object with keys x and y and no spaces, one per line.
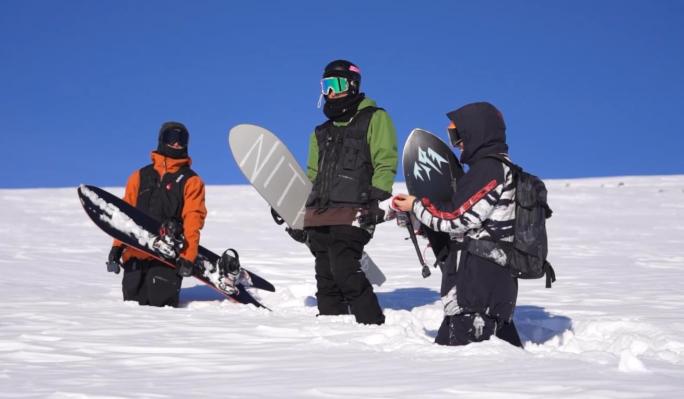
{"x":588,"y":88}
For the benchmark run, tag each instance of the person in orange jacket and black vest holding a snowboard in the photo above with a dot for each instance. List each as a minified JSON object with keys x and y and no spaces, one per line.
{"x":171,"y":192}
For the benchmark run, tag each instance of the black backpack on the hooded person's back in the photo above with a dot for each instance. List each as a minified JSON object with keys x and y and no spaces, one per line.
{"x":526,"y":255}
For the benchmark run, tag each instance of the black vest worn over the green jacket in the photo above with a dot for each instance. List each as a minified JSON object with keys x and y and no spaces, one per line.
{"x":345,"y":169}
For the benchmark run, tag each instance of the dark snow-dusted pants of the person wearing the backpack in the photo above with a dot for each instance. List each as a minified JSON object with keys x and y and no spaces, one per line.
{"x":486,"y":294}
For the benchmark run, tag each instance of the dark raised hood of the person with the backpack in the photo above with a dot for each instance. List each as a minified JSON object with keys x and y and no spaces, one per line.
{"x":482,"y":128}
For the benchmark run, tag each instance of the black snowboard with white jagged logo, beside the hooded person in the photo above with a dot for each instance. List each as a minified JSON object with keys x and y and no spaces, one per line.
{"x":431,"y":170}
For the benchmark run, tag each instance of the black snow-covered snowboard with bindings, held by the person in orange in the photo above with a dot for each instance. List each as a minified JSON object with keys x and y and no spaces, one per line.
{"x":138,"y":230}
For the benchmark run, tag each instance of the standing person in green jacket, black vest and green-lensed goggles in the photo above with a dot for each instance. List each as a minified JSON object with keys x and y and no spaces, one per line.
{"x":352,"y":163}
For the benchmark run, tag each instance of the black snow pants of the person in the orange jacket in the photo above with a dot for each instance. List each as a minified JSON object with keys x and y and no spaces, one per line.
{"x":150,"y":282}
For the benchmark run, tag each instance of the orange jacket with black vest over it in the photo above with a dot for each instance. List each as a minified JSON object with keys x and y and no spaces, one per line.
{"x":191,"y":210}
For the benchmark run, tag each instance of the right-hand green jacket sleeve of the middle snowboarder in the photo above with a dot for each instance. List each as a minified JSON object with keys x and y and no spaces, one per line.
{"x":382,"y":138}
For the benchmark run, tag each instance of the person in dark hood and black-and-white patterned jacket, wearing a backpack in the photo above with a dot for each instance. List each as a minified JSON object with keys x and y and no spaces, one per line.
{"x":479,"y":296}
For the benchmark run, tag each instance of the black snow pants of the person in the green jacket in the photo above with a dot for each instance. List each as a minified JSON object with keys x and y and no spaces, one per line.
{"x":341,"y":285}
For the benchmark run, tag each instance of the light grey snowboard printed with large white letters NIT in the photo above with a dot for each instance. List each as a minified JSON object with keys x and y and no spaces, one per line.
{"x":273,"y":171}
